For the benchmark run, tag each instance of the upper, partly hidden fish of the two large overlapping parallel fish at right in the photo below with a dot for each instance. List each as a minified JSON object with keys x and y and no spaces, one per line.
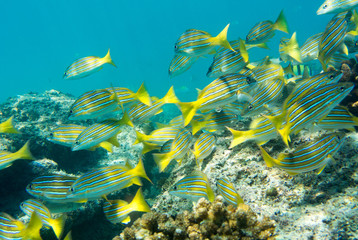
{"x":301,"y":90}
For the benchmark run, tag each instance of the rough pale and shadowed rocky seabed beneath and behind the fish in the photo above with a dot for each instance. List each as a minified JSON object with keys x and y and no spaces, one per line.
{"x":306,"y":206}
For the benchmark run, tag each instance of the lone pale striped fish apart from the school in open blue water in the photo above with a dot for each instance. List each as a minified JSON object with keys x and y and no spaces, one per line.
{"x":84,"y":67}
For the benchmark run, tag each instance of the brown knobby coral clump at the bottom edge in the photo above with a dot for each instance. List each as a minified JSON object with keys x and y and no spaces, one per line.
{"x":206,"y":221}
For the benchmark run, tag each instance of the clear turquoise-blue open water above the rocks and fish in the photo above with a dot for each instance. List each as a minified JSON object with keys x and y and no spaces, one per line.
{"x":41,"y":38}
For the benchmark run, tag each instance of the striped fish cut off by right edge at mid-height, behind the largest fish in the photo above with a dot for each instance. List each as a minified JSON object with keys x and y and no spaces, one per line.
{"x":338,"y":118}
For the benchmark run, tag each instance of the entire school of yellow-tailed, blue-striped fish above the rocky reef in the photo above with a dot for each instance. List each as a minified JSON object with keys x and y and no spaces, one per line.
{"x":240,"y":89}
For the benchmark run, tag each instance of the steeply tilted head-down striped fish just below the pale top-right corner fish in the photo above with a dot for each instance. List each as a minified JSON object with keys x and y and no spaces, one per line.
{"x":331,"y":40}
